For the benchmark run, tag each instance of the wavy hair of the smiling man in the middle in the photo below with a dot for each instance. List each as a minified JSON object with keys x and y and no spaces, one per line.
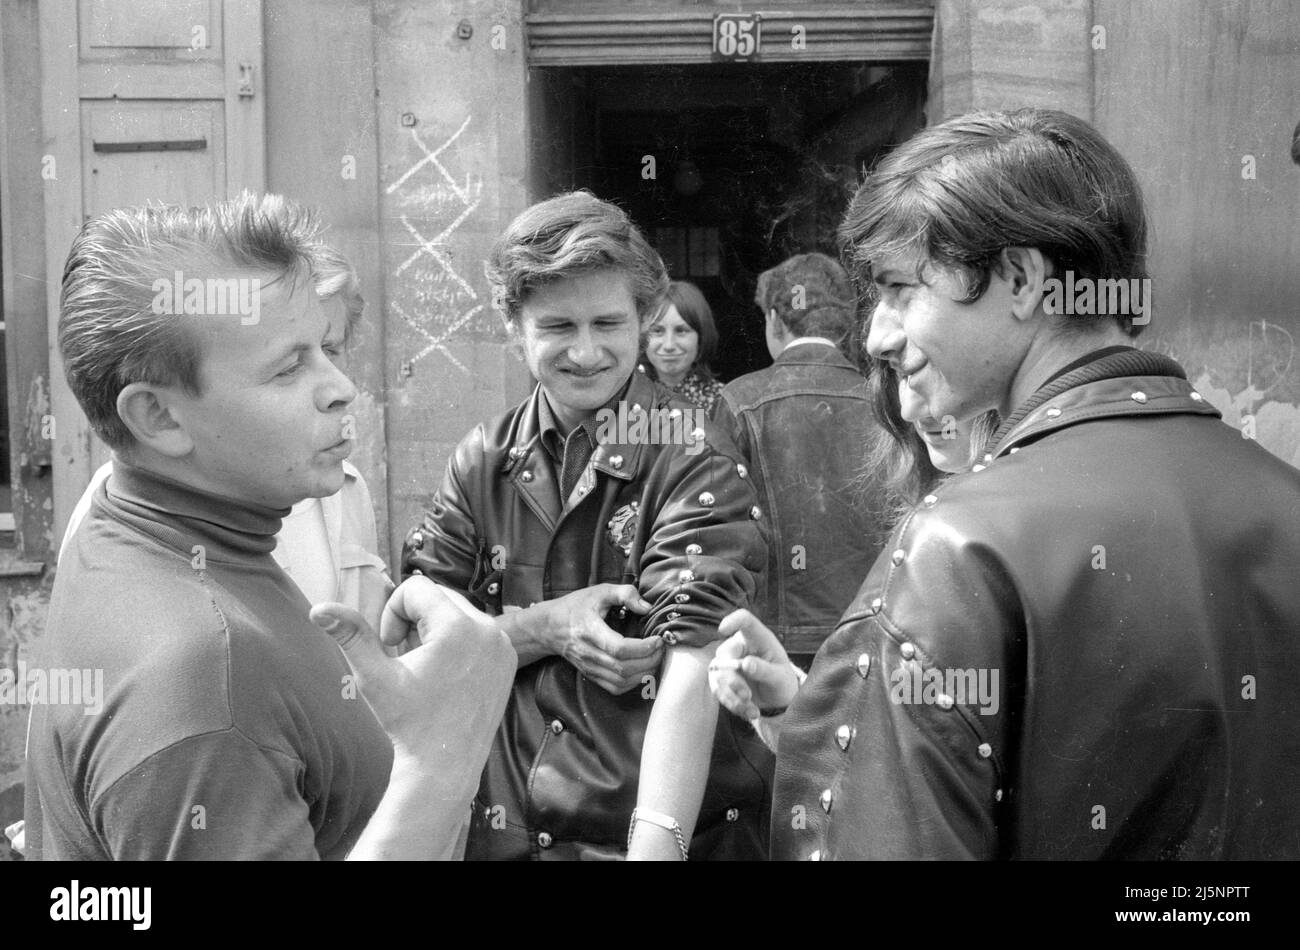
{"x":571,"y":236}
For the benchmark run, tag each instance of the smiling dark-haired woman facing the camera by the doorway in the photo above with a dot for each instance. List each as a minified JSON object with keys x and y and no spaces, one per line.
{"x":679,"y":345}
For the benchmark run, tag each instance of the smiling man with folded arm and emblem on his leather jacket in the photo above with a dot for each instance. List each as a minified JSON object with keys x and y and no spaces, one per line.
{"x":603,"y":502}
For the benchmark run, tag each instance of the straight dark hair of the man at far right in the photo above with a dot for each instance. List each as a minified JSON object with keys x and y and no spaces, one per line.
{"x":960,"y":193}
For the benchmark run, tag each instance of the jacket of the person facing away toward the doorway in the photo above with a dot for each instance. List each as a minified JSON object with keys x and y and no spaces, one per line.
{"x":804,"y":424}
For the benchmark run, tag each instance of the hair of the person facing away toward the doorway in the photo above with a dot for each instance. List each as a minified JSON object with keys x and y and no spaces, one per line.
{"x":813,"y":297}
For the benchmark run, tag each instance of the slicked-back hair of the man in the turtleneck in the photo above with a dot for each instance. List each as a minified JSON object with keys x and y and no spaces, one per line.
{"x":110,"y":335}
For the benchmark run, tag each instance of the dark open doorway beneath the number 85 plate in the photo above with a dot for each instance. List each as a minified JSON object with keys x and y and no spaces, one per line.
{"x":729,"y":170}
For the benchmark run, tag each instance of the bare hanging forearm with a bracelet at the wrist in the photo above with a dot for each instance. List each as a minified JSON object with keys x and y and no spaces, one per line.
{"x":677,"y":753}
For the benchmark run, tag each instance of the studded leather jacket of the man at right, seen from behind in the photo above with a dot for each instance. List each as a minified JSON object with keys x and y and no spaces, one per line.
{"x":1086,"y":648}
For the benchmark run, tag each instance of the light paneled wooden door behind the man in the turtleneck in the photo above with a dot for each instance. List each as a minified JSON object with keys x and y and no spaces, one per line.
{"x":146,"y":101}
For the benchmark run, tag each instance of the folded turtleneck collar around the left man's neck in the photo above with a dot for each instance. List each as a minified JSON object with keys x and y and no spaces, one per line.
{"x":181,"y":517}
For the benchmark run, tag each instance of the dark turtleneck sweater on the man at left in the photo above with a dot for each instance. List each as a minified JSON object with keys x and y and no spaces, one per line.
{"x":229,"y":730}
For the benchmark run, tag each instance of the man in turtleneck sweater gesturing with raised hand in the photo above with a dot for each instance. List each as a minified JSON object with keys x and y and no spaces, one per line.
{"x":232,"y":727}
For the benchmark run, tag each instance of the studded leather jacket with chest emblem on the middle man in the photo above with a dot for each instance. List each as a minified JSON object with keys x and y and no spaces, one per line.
{"x":668,"y":507}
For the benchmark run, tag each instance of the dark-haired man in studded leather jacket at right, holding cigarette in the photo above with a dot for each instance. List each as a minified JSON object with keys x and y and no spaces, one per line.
{"x":1089,"y":645}
